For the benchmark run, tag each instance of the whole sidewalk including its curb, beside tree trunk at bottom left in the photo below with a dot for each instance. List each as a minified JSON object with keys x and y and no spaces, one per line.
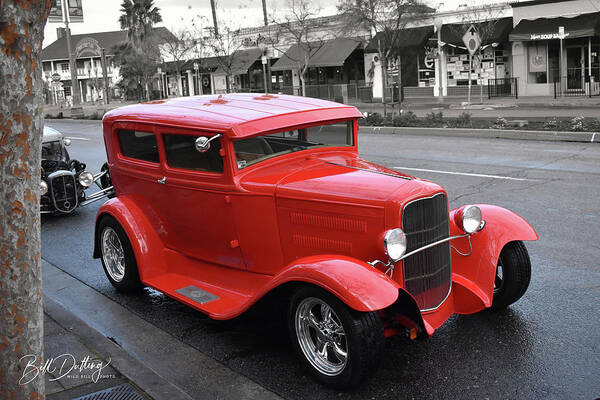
{"x":80,"y":322}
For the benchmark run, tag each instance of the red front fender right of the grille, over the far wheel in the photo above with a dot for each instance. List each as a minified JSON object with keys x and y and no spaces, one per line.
{"x":473,"y":275}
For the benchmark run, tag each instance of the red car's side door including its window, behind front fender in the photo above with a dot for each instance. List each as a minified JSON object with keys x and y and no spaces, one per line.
{"x":195,"y":198}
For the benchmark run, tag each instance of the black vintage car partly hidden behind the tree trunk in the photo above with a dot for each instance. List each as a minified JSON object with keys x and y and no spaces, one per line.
{"x":63,"y":179}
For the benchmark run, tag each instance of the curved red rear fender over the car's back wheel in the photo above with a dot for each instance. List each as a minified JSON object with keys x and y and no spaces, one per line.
{"x":146,"y":244}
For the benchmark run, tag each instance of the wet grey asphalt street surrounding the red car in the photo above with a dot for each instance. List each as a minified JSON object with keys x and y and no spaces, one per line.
{"x":547,"y":345}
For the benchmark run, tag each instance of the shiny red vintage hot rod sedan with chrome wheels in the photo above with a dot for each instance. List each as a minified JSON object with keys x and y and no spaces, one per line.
{"x":222,"y":200}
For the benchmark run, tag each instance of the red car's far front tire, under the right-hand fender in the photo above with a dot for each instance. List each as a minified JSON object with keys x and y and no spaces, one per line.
{"x":513,"y":274}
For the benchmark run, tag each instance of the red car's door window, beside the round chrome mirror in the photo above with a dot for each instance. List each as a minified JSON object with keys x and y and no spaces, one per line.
{"x":181,"y":153}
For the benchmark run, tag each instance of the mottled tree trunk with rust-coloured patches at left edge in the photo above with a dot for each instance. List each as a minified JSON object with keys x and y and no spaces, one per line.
{"x":21,"y":313}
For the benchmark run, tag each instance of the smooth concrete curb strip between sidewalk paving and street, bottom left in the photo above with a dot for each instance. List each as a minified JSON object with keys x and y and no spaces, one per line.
{"x":162,"y":358}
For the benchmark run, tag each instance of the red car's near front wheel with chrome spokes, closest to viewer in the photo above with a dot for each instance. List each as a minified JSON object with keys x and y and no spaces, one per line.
{"x":339,"y":346}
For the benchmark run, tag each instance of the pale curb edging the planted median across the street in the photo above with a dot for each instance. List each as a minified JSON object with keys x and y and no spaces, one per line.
{"x":557,"y":136}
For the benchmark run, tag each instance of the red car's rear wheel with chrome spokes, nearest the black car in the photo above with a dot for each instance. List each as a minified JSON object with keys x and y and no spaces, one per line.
{"x":118,"y":259}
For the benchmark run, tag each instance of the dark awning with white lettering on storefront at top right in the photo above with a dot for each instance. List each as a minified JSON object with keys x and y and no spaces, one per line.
{"x":547,"y":28}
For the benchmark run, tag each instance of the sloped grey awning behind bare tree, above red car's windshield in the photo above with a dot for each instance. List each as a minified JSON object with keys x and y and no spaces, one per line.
{"x":332,"y":53}
